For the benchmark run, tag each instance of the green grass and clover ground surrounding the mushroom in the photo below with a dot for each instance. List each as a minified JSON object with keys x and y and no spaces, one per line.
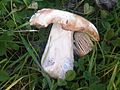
{"x":20,"y":52}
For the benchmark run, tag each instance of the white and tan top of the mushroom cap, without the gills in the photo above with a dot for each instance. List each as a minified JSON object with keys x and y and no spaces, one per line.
{"x":67,"y":20}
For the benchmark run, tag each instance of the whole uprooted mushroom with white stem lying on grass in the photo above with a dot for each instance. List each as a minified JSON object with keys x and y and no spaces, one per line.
{"x":69,"y":33}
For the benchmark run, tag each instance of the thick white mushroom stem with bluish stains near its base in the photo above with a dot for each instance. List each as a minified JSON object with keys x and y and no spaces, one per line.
{"x":58,"y":55}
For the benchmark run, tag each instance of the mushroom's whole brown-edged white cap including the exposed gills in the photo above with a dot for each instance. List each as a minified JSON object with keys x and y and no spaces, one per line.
{"x":84,"y":31}
